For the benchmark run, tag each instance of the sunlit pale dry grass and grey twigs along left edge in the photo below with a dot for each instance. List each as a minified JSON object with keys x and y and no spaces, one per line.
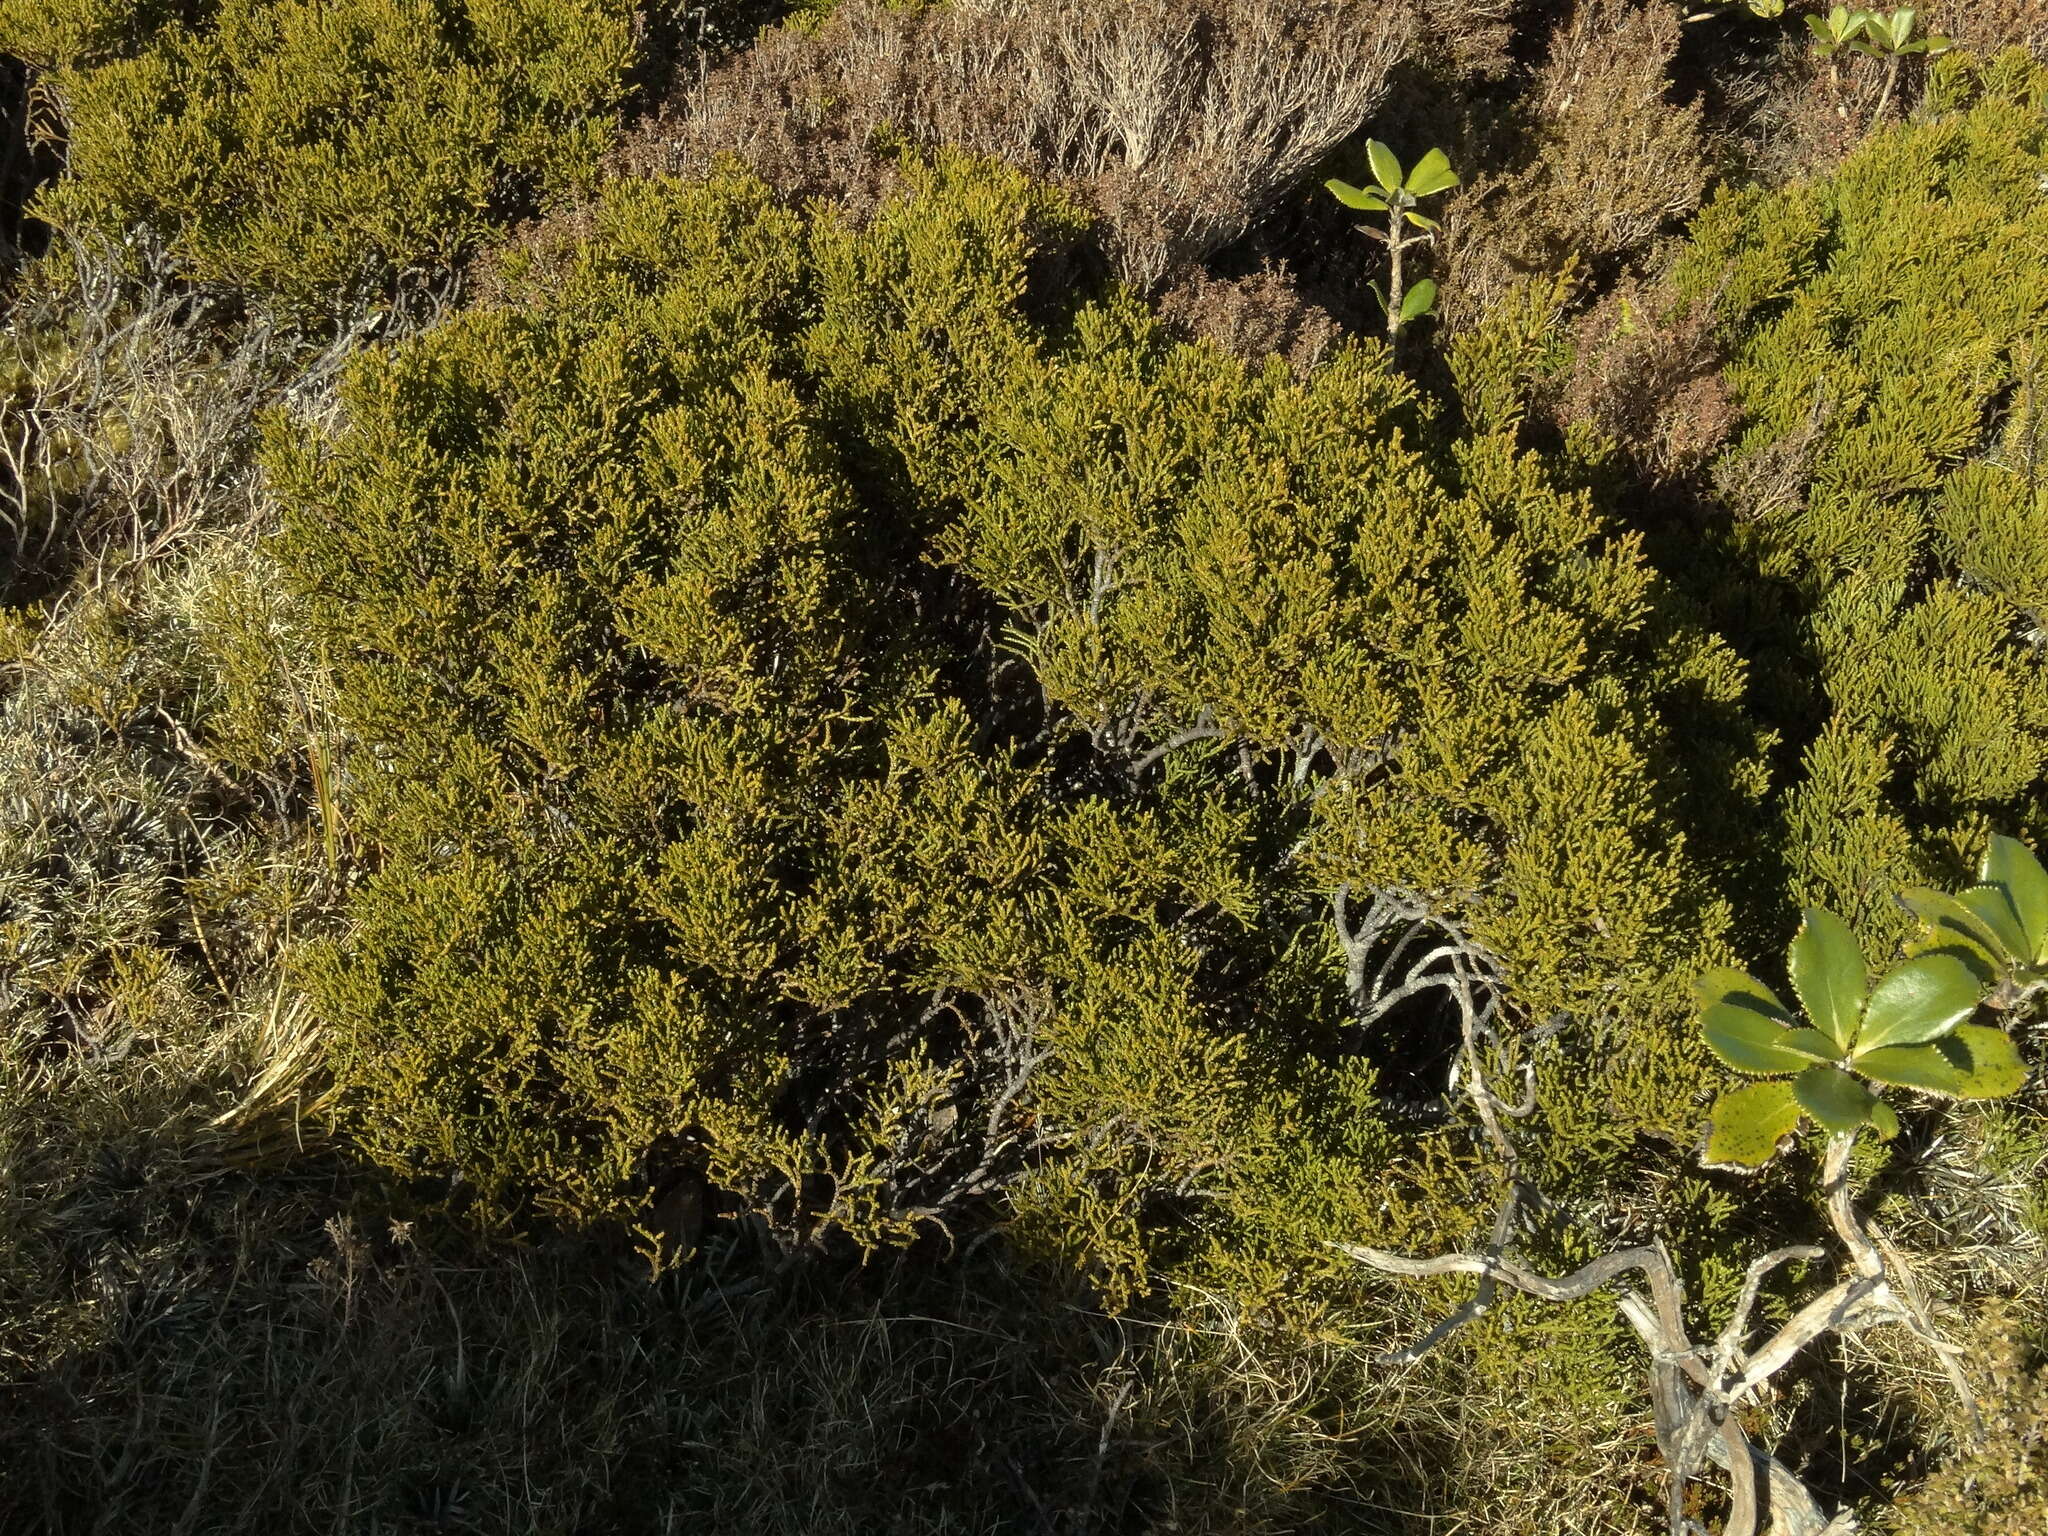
{"x":159,"y":720}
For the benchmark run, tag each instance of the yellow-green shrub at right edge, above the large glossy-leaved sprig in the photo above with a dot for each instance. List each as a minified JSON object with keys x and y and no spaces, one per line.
{"x":1885,"y":329}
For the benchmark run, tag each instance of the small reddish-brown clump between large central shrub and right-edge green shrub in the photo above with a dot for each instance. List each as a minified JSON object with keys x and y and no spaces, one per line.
{"x":1648,"y":374}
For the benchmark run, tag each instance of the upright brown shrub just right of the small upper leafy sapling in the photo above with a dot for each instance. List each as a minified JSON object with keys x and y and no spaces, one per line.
{"x":1607,"y":161}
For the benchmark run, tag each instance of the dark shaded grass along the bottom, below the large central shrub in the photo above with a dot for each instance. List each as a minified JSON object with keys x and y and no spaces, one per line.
{"x":259,"y":1357}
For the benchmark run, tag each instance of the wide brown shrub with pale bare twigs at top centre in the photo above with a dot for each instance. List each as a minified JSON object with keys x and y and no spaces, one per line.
{"x":1179,"y":120}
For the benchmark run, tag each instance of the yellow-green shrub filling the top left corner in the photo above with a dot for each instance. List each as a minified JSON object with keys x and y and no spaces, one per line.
{"x":308,"y":146}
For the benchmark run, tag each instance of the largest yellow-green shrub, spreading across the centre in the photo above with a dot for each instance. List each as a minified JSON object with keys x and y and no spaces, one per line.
{"x":759,"y":640}
